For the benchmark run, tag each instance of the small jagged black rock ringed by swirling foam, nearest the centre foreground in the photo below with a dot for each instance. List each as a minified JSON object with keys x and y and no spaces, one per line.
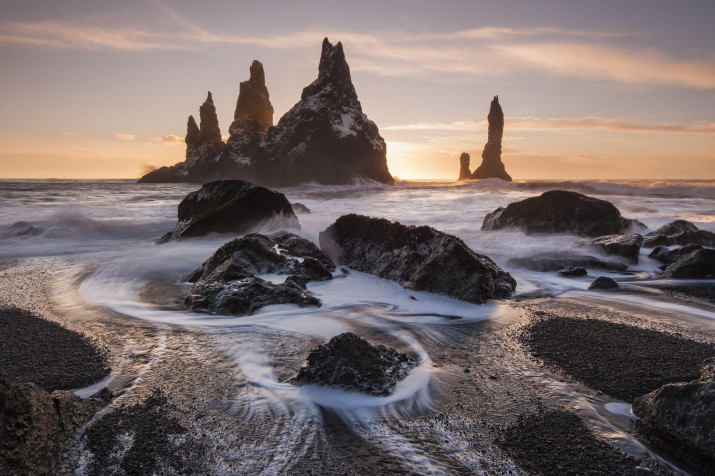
{"x":352,"y":363}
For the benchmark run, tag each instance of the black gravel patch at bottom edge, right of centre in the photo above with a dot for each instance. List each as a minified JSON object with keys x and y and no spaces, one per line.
{"x":557,"y":442}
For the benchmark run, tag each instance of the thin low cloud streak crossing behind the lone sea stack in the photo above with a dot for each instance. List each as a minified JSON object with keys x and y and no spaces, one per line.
{"x":564,"y":124}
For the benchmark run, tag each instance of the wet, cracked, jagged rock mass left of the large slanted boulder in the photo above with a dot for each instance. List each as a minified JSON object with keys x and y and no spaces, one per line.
{"x":228,"y":282}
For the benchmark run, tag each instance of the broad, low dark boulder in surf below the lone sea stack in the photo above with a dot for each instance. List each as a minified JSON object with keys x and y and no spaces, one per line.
{"x":560,"y":211}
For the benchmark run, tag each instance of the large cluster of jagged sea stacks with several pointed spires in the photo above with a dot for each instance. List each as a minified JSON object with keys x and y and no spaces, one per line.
{"x":324,"y":138}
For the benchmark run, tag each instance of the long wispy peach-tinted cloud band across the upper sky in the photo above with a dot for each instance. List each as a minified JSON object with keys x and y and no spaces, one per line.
{"x":456,"y":56}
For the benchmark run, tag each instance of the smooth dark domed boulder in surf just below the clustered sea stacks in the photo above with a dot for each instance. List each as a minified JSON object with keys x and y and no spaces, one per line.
{"x":229,"y":206}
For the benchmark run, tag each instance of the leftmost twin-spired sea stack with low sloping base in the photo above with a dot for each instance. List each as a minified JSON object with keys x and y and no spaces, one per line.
{"x":203,"y":149}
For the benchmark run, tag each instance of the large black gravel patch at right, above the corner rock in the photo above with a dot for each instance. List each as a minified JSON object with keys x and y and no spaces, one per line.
{"x":620,"y":360}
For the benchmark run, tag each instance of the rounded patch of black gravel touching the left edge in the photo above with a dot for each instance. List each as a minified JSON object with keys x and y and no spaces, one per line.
{"x":36,"y":350}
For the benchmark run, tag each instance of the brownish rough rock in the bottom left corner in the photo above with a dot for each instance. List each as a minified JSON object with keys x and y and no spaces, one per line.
{"x":34,"y":426}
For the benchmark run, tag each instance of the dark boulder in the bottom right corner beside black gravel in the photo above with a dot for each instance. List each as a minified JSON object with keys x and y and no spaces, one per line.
{"x":681,"y":417}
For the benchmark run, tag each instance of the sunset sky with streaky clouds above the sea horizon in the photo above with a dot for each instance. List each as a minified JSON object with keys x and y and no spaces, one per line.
{"x":590,"y":90}
